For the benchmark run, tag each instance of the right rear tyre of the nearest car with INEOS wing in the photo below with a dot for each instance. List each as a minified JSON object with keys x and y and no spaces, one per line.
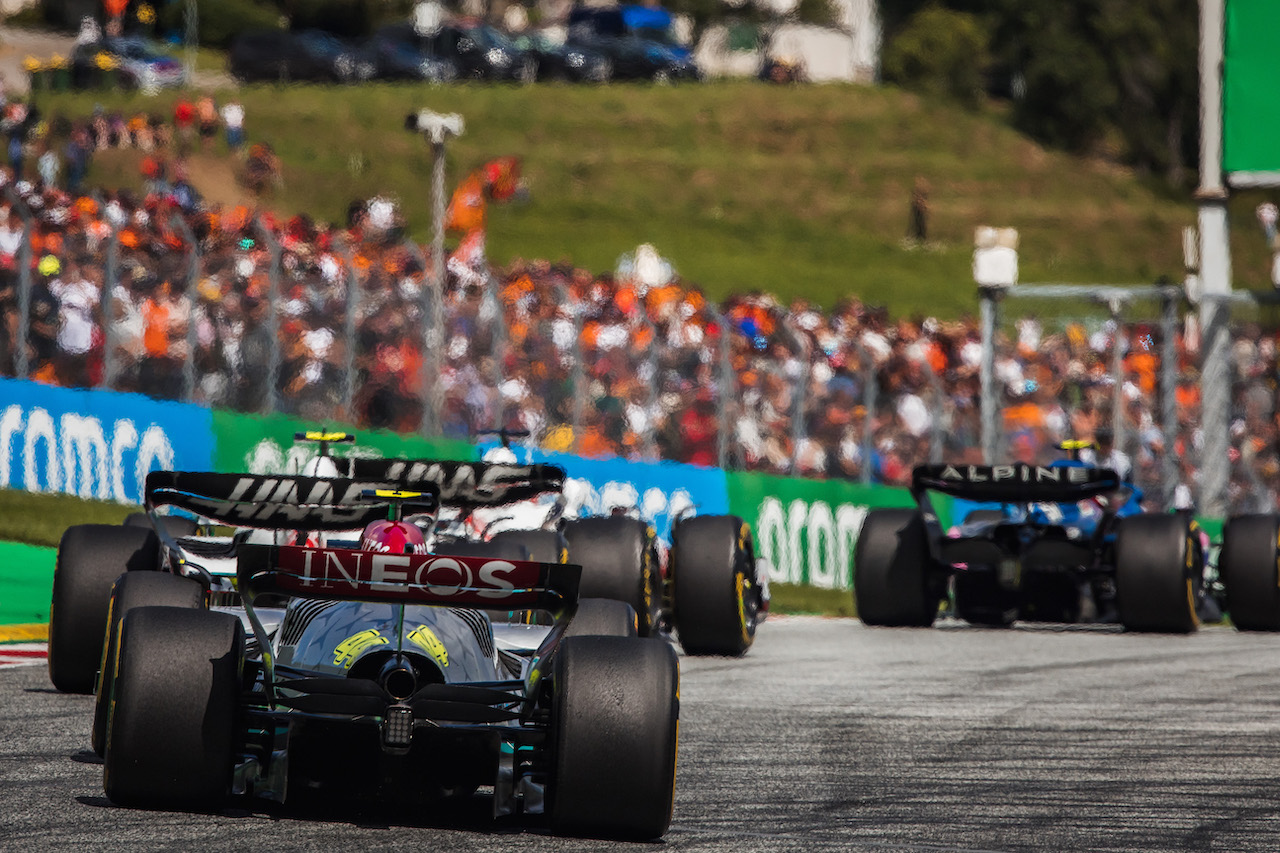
{"x":615,"y":711}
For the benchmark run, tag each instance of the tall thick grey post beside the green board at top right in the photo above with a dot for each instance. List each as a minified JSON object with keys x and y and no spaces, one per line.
{"x":1215,"y":268}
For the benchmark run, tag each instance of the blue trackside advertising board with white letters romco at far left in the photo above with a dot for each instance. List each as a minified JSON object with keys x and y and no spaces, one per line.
{"x":95,"y":444}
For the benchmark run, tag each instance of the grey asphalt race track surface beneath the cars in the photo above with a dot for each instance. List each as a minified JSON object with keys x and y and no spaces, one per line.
{"x":828,"y":737}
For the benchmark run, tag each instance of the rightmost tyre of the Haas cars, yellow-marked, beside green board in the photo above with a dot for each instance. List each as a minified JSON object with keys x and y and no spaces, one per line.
{"x":716,"y":595}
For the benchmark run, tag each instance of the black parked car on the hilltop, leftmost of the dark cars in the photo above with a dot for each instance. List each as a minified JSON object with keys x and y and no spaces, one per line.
{"x":305,"y":56}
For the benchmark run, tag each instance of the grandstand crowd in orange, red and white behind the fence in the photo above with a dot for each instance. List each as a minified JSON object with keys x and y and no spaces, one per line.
{"x":646,"y":370}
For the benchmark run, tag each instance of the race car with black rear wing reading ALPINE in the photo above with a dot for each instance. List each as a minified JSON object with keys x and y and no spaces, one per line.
{"x":1064,"y":544}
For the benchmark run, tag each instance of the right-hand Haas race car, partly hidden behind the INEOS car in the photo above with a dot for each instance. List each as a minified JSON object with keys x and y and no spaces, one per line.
{"x":706,"y":587}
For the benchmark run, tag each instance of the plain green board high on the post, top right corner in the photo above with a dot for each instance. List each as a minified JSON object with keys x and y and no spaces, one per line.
{"x":1251,"y":79}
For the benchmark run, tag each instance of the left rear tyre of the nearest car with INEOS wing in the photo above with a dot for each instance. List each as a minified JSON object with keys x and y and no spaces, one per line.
{"x":173,"y":709}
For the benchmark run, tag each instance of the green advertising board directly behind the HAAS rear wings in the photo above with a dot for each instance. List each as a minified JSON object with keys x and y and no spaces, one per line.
{"x":264,"y":444}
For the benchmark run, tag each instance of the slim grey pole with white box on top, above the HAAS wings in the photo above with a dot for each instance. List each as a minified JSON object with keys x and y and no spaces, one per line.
{"x":438,"y":129}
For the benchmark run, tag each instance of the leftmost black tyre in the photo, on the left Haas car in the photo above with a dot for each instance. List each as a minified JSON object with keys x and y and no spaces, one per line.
{"x":90,"y":559}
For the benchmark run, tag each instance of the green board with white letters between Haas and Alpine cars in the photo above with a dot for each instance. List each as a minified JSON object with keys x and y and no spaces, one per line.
{"x":807,"y":530}
